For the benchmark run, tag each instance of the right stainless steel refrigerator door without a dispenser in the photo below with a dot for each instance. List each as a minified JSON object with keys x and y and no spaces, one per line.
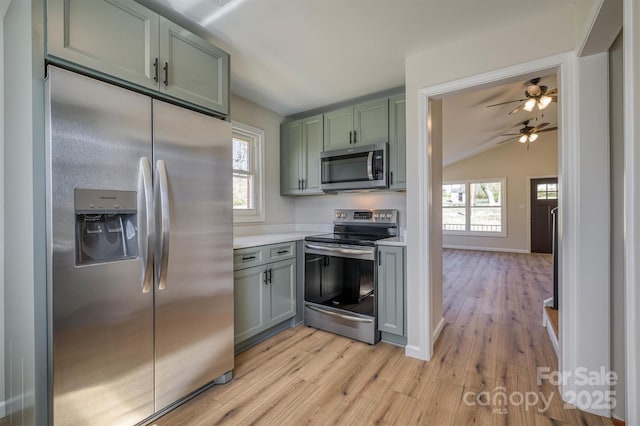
{"x":194,"y":254}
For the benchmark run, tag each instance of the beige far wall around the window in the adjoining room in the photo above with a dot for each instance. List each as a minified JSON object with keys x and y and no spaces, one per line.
{"x":516,"y":163}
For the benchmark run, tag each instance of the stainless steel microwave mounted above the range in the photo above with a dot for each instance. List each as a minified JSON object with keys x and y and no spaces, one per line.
{"x":363,"y":167}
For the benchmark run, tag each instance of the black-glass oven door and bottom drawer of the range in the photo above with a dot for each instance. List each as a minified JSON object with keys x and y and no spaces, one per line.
{"x":340,"y":288}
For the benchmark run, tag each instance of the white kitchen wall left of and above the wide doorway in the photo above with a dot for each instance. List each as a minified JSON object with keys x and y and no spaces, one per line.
{"x":450,"y":62}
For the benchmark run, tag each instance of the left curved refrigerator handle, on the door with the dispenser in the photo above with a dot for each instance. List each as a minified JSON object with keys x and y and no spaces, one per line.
{"x":147,"y":237}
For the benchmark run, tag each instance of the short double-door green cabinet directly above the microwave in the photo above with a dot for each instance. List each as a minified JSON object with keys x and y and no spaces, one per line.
{"x":362,"y":124}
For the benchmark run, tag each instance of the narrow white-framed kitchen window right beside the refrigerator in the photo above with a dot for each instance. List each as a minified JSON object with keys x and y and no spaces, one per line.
{"x":248,"y":173}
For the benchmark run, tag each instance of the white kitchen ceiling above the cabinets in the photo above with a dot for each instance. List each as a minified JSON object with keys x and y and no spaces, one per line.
{"x":295,"y":55}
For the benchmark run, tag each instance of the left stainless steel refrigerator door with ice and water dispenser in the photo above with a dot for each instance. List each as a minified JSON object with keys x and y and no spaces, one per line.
{"x":101,"y":319}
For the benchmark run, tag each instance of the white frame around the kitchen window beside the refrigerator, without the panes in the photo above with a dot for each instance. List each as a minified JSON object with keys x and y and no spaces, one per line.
{"x":256,"y":138}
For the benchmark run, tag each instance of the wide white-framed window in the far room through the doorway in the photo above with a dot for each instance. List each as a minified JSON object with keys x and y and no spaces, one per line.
{"x":474,"y":207}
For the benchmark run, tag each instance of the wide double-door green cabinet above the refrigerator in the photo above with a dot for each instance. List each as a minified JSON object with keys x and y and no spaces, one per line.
{"x":124,"y":41}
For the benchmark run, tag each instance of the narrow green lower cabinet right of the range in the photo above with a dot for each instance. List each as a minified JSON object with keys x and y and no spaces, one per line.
{"x":391,"y":290}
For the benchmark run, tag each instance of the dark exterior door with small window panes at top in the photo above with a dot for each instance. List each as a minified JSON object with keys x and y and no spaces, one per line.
{"x":544,"y":198}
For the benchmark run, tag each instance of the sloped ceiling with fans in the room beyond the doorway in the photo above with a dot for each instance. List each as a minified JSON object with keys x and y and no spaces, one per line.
{"x":469,"y":127}
